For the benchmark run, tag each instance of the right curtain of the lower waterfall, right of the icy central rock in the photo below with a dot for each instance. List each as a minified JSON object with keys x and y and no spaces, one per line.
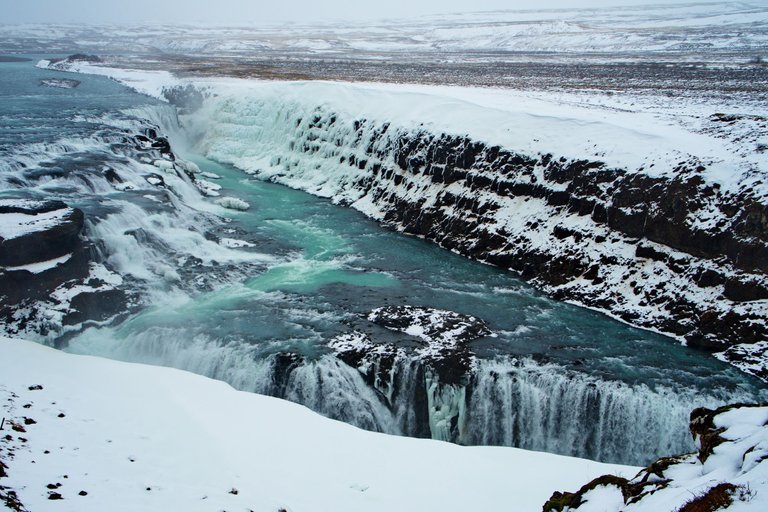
{"x":548,"y":408}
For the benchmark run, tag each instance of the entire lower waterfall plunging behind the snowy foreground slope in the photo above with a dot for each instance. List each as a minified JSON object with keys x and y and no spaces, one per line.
{"x":508,"y":402}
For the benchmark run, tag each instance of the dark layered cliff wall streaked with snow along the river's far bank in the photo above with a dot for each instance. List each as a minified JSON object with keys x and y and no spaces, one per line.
{"x":666,"y":250}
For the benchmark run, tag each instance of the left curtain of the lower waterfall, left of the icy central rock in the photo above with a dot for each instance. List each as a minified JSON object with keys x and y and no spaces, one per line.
{"x":325,"y":384}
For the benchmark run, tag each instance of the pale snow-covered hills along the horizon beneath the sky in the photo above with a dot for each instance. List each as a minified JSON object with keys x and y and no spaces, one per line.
{"x":710,"y":30}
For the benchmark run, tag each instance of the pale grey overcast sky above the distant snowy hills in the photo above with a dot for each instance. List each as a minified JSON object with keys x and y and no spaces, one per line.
{"x":255,"y":11}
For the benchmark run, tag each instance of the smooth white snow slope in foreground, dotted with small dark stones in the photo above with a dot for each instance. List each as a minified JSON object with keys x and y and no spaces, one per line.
{"x":136,"y":437}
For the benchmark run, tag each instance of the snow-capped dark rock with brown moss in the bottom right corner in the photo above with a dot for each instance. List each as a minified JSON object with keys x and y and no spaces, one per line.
{"x":728,"y":470}
